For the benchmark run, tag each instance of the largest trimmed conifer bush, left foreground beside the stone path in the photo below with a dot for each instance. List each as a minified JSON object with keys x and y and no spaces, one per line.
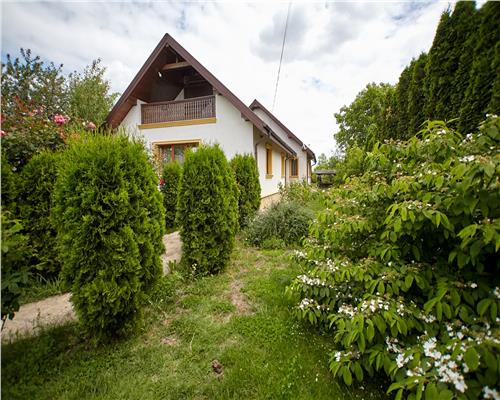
{"x":109,"y":217}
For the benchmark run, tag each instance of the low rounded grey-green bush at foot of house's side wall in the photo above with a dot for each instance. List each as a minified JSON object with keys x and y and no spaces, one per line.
{"x":283,"y":224}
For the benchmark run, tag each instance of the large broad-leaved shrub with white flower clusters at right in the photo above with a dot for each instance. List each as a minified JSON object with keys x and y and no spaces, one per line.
{"x":402,"y":266}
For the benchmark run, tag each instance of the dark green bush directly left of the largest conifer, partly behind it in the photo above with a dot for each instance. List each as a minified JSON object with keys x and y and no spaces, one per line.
{"x":35,"y":203}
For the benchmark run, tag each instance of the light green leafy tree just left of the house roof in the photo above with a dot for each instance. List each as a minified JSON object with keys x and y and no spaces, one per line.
{"x":89,"y":97}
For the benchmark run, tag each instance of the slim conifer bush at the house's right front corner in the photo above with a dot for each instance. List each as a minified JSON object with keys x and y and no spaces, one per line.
{"x":247,"y":178}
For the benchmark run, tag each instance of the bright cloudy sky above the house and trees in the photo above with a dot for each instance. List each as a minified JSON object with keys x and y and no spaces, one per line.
{"x":332,"y":49}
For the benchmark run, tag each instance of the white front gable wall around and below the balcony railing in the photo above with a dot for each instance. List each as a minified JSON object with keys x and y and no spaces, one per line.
{"x":231,"y":131}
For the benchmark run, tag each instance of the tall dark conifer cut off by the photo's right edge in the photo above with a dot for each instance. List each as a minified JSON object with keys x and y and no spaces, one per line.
{"x":479,"y":93}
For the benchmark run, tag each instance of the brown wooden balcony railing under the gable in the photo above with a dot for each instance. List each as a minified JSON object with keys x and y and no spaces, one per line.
{"x":181,"y":110}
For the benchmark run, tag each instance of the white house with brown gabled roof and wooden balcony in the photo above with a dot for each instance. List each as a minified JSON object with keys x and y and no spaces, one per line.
{"x":174,"y":103}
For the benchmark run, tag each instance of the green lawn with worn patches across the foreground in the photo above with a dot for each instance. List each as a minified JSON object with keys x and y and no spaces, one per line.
{"x":240,"y":318}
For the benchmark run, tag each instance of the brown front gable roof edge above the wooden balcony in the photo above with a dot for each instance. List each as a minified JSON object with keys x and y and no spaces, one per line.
{"x":127,"y":100}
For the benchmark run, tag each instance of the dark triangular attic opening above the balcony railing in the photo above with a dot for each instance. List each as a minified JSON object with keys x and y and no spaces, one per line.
{"x":170,"y":78}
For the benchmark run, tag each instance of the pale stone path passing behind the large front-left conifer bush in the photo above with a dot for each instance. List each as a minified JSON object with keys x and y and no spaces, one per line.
{"x":56,"y":310}
